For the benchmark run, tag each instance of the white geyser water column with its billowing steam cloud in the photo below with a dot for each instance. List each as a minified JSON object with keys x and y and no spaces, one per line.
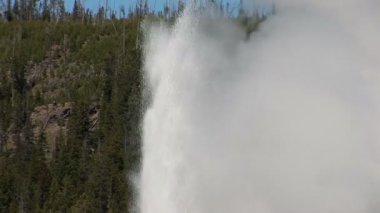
{"x":286,"y":122}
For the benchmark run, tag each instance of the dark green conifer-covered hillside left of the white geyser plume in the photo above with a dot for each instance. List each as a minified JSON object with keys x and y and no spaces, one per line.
{"x":70,"y":105}
